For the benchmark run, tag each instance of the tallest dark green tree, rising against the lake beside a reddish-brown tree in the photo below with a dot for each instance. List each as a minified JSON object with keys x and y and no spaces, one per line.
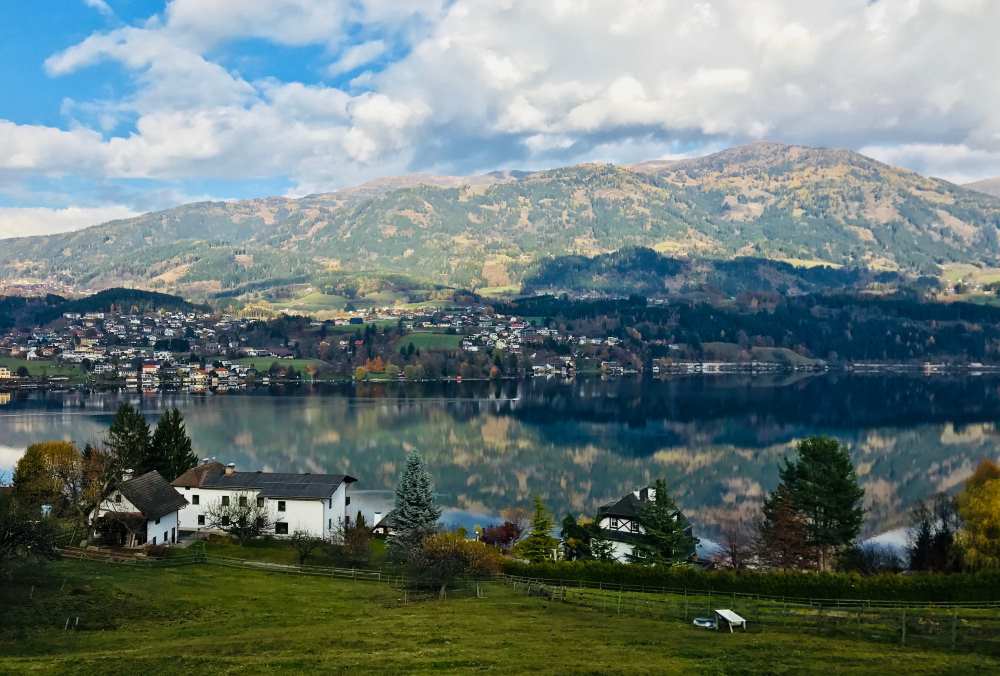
{"x":824,"y":489}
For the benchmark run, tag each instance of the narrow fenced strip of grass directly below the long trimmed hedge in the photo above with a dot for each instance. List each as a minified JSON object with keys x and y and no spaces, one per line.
{"x":974,"y":629}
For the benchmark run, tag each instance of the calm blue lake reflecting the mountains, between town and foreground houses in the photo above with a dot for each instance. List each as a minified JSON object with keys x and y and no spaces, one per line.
{"x":717,"y":441}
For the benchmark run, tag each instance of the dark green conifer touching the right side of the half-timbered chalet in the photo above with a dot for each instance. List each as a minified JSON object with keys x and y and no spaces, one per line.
{"x":666,"y":537}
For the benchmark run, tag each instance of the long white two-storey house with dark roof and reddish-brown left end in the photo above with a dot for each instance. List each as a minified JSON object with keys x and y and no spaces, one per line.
{"x":315,"y":503}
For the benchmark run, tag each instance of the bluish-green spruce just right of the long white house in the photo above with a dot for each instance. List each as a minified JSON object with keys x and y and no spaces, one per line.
{"x":415,"y":515}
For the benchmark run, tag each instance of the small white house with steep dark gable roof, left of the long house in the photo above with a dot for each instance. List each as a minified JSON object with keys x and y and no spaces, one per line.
{"x":143,"y":510}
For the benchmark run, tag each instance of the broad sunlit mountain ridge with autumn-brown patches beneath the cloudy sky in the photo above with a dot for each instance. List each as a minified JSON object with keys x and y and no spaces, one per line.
{"x":763,"y":200}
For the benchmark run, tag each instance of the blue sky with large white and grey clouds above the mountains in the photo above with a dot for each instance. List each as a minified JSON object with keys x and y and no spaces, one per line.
{"x":110,"y":108}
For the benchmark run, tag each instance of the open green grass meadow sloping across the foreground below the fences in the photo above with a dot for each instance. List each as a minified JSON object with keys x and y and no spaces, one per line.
{"x":208,"y":619}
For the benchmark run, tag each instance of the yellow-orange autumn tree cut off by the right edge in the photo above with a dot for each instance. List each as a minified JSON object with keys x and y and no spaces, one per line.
{"x":979,"y":507}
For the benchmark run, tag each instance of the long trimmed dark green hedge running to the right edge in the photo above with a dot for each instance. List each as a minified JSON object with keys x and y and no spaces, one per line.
{"x":924,"y":587}
